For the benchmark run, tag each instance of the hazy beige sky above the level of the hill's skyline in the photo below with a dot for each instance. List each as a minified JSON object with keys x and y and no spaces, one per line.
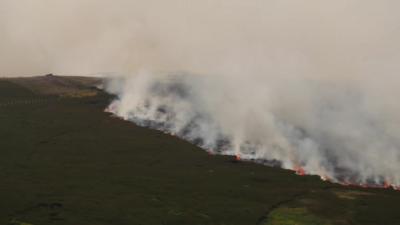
{"x":330,"y":38}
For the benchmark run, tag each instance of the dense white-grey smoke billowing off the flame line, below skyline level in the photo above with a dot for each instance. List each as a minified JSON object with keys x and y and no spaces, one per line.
{"x":332,"y":130}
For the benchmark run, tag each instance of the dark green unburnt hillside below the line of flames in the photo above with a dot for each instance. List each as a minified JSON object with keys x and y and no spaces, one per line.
{"x":68,"y":162}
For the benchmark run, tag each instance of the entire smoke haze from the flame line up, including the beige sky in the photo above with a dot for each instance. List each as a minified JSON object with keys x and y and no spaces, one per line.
{"x":309,"y":83}
